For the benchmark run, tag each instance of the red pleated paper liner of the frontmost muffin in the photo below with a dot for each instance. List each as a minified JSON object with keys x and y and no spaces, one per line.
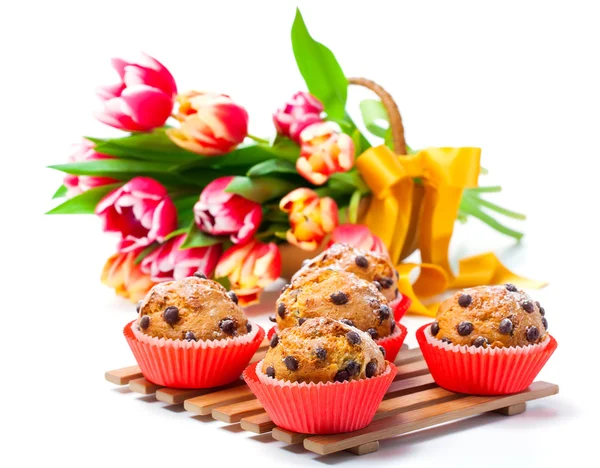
{"x":322,"y":408}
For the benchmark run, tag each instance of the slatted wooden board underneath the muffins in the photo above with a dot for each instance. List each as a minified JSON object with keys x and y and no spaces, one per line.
{"x":412,"y":402}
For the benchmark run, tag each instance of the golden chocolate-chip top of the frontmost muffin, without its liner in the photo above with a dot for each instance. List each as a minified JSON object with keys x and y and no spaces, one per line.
{"x":323,"y":350}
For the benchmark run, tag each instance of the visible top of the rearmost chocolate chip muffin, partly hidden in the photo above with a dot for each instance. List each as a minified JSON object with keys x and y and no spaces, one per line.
{"x":370,"y":266}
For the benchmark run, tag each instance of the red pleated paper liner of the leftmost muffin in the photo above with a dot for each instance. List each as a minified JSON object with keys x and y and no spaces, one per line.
{"x":187,"y":364}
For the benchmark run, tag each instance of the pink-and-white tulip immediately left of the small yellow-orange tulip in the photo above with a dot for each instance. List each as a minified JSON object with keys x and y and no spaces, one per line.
{"x":227,"y":214}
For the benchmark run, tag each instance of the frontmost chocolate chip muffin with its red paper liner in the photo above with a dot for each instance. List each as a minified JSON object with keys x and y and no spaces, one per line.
{"x":322,"y":377}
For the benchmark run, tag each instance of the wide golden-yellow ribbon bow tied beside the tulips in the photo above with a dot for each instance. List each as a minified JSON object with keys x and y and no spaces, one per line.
{"x":400,"y":210}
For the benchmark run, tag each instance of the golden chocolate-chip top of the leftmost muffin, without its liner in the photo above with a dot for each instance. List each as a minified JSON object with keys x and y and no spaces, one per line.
{"x":192,"y":309}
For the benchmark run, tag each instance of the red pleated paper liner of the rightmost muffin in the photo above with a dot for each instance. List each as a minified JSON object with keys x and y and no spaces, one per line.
{"x":483,"y":371}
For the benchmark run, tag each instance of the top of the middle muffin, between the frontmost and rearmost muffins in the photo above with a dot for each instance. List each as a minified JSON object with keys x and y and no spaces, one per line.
{"x":339,"y":295}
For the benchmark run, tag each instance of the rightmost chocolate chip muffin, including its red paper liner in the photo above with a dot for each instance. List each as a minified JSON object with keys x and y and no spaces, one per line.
{"x":488,"y":340}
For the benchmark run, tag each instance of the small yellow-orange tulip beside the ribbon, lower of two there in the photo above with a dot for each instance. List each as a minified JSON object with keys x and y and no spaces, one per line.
{"x":311,"y":218}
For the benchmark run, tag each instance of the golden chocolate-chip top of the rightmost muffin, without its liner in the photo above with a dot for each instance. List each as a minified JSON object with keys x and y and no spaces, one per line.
{"x":490,"y":316}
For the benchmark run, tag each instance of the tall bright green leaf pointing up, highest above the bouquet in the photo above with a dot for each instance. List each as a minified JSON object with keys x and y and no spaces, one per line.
{"x":319,"y":68}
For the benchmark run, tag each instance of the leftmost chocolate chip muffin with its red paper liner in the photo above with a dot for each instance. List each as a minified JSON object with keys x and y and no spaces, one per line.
{"x":191,"y":333}
